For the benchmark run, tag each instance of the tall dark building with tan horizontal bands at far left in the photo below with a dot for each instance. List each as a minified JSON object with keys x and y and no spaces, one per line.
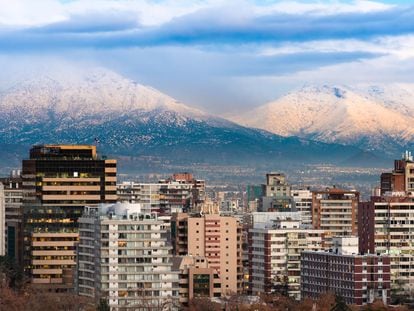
{"x":58,"y":182}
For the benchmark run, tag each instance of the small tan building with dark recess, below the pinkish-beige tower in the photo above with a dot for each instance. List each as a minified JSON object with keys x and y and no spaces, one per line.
{"x":197,"y":279}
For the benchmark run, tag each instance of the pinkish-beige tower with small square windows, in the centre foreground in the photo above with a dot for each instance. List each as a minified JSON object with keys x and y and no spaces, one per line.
{"x":218,"y":238}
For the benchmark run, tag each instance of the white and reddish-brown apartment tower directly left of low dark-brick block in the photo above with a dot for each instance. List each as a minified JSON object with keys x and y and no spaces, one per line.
{"x":275,"y":248}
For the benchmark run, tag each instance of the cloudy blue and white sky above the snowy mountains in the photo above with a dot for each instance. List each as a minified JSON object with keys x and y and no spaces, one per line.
{"x":223,"y":56}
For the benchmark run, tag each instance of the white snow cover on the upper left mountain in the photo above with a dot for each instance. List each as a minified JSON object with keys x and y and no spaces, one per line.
{"x":99,"y":93}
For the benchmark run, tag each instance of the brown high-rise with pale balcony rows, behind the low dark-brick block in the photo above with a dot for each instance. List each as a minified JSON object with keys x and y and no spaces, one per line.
{"x":335,"y":211}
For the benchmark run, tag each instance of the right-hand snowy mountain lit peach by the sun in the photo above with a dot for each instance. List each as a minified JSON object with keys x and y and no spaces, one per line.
{"x":370,"y":117}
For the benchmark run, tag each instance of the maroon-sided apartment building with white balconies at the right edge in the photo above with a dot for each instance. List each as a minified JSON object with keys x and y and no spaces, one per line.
{"x":387,"y":227}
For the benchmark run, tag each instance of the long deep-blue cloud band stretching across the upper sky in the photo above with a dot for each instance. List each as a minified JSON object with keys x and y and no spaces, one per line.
{"x":217,"y":26}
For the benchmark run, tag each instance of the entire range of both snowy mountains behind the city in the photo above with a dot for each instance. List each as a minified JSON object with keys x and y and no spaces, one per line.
{"x":315,"y":124}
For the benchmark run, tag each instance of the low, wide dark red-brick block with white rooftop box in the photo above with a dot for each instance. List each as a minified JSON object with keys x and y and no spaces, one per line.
{"x":358,"y":279}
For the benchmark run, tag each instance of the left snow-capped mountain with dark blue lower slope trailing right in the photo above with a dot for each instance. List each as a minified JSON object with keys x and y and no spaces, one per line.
{"x":130,"y":119}
